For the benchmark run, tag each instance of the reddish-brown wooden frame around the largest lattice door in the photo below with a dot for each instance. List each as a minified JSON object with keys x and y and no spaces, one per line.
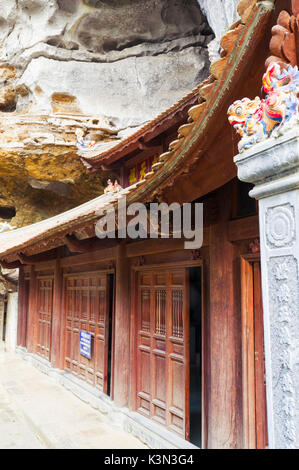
{"x":198,"y":263}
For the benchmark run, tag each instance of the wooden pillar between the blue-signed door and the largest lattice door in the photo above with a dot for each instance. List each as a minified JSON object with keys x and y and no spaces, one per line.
{"x":122,"y":328}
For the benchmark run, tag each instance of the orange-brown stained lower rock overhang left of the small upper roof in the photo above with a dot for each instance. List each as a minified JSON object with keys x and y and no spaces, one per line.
{"x":40,"y":172}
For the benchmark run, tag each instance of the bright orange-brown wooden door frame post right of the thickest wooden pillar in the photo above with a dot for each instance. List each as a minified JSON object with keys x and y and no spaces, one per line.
{"x":248,"y":346}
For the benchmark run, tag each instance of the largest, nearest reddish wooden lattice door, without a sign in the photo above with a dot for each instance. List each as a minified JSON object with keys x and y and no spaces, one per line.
{"x":162,"y":349}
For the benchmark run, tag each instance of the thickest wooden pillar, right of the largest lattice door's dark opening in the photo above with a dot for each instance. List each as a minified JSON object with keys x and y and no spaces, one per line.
{"x":224,"y":412}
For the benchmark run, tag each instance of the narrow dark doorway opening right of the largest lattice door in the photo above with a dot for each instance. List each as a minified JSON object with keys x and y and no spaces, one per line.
{"x":195,"y":364}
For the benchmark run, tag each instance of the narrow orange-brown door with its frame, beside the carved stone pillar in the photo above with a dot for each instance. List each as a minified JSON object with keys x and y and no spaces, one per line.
{"x":254,"y":383}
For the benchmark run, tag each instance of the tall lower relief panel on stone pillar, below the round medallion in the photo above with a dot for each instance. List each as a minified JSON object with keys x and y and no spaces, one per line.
{"x":284,"y":304}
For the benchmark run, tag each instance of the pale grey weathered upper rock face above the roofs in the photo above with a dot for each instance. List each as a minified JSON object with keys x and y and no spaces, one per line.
{"x":124,"y":59}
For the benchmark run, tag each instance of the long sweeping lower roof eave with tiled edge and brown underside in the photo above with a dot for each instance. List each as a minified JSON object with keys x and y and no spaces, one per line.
{"x":203,"y":153}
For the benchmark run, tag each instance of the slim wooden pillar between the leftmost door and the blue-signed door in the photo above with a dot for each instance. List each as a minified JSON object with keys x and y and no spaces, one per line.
{"x":57,"y":318}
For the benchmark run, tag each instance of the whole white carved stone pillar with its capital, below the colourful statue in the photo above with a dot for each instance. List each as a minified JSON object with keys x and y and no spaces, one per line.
{"x":273,"y":167}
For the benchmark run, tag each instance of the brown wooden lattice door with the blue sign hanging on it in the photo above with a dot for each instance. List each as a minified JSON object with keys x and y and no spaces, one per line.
{"x":87,"y":309}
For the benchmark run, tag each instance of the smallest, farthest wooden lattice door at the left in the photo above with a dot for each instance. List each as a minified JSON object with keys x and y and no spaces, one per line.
{"x":44,"y":316}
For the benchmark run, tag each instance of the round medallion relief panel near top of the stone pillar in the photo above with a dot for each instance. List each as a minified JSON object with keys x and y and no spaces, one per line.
{"x":280,"y":226}
